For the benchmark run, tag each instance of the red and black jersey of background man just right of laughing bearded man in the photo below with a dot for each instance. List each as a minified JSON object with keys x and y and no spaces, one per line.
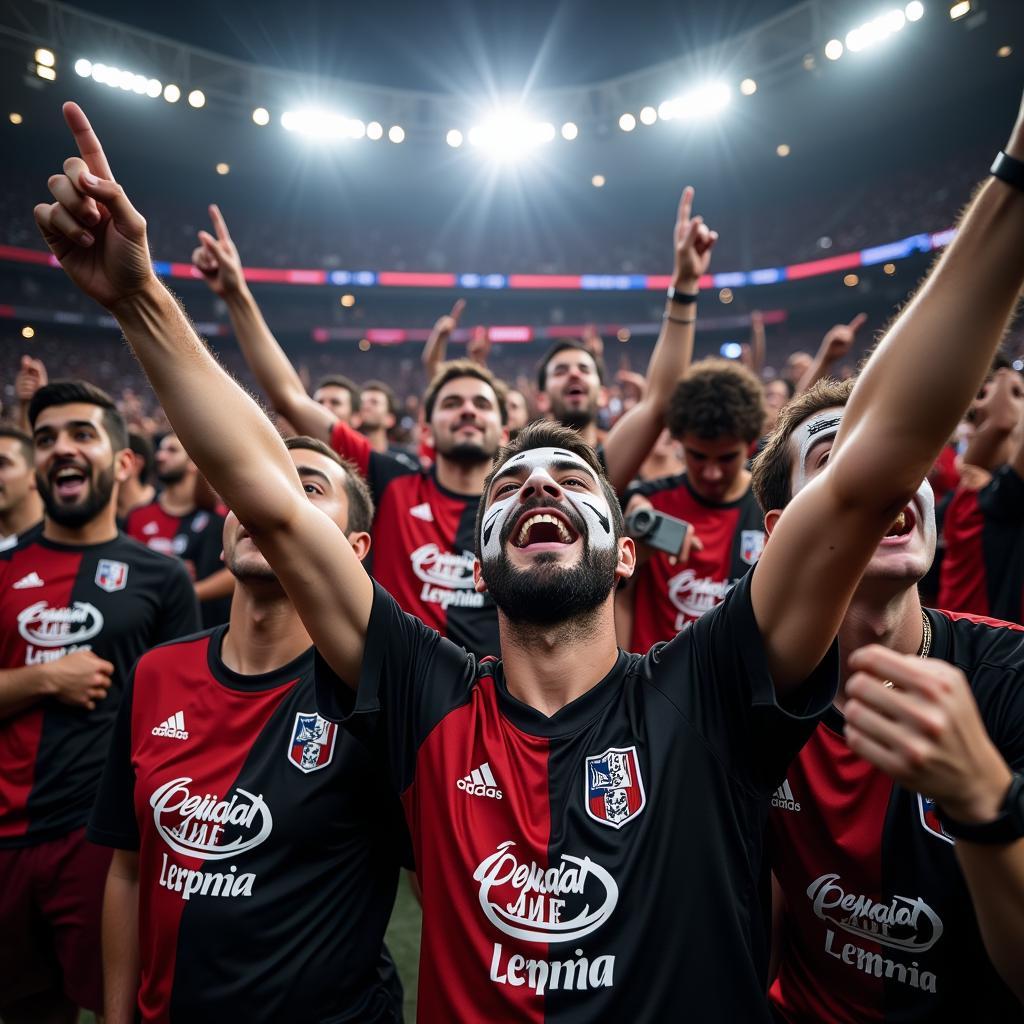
{"x":197,"y":539}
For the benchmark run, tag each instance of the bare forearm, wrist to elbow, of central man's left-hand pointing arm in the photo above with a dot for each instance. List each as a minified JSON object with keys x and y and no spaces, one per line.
{"x":224,"y":431}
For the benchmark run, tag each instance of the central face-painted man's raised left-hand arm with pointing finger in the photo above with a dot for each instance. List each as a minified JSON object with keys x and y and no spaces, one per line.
{"x":100,"y":240}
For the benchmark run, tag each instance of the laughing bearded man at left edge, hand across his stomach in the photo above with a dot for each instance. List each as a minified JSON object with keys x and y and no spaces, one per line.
{"x":79,"y":604}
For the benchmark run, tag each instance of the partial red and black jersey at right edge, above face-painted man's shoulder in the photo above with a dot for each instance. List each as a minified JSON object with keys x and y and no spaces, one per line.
{"x":984,"y":568}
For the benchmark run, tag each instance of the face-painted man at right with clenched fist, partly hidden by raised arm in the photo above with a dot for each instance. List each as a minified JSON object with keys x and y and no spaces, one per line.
{"x":865,"y":812}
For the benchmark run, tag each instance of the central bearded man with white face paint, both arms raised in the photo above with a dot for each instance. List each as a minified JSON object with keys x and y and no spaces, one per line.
{"x":587,"y":824}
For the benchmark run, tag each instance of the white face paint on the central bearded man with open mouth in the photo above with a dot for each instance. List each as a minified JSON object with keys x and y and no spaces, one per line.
{"x":593,"y":508}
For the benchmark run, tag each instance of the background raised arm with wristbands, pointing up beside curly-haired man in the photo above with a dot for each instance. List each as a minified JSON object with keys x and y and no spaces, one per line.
{"x":634,"y":436}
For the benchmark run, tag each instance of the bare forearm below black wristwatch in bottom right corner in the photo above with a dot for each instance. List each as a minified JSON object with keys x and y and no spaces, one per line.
{"x":996,"y":878}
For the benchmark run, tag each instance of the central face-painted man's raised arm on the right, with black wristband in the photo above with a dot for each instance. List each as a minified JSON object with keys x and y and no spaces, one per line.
{"x":906,"y":405}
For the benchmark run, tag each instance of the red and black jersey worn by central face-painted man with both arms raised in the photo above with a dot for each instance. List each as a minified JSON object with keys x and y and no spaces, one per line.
{"x":603,"y":864}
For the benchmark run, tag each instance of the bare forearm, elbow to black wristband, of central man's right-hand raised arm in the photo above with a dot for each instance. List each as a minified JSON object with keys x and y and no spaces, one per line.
{"x":931,"y":364}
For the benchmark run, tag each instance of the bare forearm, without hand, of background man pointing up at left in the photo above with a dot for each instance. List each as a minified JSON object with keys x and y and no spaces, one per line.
{"x":274,"y":371}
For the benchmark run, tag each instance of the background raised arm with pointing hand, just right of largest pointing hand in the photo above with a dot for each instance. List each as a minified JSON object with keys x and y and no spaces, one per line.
{"x":218,"y":260}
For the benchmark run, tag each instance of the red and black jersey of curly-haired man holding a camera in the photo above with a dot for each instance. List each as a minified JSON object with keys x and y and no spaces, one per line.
{"x":670,"y":596}
